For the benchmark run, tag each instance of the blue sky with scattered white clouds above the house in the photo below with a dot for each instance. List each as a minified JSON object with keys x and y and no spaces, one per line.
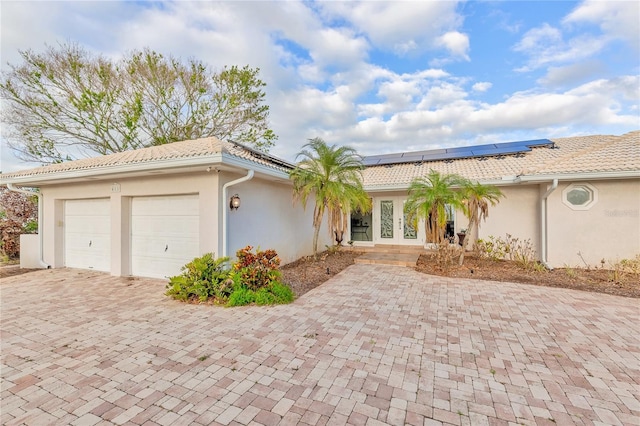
{"x":381,"y":76}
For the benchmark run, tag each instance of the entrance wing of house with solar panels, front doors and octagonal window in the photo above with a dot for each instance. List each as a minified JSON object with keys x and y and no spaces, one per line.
{"x":576,"y":199}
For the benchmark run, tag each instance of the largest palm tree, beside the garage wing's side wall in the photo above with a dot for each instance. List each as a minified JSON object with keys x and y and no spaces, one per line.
{"x":332,"y":175}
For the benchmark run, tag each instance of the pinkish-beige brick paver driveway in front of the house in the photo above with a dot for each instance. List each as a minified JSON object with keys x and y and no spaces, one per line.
{"x":375,"y":345}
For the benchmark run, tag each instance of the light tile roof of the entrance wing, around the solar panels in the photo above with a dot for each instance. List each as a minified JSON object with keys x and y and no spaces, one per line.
{"x":583,"y":154}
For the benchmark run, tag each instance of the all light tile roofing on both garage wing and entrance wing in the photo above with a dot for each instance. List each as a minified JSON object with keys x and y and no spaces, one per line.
{"x":583,"y":154}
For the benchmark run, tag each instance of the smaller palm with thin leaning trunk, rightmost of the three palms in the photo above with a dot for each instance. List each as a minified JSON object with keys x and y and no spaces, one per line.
{"x":476,"y":199}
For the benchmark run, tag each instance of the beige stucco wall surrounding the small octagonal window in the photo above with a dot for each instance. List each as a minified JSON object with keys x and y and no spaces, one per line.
{"x":609,"y":230}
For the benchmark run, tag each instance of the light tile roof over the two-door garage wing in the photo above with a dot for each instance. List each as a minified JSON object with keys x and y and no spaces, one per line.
{"x":203,"y":148}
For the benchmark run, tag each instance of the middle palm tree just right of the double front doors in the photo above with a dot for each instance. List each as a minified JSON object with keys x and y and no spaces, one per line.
{"x":428,"y":197}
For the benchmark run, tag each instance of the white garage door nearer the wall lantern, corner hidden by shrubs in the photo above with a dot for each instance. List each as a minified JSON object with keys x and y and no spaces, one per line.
{"x":164,"y":234}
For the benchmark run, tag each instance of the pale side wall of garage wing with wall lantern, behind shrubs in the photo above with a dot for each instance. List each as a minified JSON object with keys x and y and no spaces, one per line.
{"x":268,"y":219}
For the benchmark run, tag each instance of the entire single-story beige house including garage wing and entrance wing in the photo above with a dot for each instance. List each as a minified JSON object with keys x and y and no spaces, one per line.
{"x":147,"y":212}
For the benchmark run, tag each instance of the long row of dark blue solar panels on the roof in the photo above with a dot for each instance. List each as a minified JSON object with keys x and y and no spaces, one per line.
{"x":478,"y":151}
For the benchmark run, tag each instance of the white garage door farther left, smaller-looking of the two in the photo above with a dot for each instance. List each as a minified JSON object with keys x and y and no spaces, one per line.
{"x":87,"y":234}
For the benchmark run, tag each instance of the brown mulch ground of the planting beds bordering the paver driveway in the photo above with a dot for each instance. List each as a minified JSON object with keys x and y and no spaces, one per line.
{"x":306,"y":274}
